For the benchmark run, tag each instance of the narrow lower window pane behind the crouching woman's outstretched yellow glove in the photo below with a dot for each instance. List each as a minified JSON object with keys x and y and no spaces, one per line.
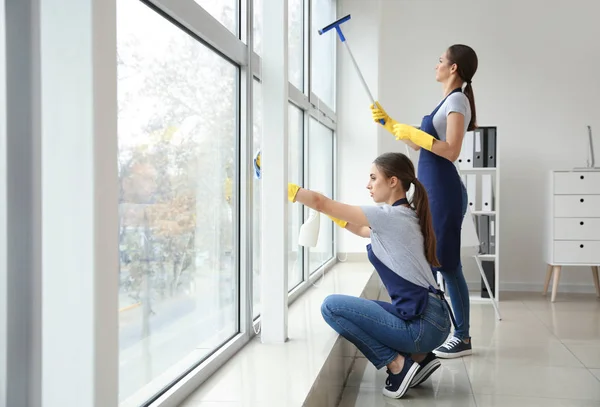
{"x":295,"y":147}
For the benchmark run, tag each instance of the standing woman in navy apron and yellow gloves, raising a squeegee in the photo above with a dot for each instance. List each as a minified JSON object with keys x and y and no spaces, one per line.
{"x":440,"y":140}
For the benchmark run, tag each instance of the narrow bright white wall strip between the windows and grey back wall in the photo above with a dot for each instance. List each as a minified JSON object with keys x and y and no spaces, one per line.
{"x":356,"y":134}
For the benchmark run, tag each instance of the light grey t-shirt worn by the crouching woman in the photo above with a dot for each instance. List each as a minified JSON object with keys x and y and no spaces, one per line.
{"x":397,"y":241}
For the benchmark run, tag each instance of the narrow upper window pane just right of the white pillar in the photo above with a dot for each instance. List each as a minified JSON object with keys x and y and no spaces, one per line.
{"x":296,"y":43}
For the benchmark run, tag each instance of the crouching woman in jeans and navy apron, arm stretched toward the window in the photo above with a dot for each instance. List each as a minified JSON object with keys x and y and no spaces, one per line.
{"x":399,"y":335}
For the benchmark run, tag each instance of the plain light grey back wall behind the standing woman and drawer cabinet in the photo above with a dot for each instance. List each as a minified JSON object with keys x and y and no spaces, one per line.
{"x":536,"y":82}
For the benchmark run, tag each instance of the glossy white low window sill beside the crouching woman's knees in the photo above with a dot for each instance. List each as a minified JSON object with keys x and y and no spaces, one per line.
{"x":313,"y":361}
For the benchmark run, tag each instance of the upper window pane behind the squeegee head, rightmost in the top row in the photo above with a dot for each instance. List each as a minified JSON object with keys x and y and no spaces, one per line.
{"x":323,"y":51}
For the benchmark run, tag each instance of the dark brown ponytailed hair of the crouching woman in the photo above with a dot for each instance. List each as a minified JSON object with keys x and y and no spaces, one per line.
{"x":400,"y":166}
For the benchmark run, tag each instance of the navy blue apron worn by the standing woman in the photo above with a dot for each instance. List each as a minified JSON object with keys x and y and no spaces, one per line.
{"x":444,"y":189}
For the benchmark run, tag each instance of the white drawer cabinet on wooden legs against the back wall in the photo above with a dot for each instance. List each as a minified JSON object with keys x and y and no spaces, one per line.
{"x":573,"y":224}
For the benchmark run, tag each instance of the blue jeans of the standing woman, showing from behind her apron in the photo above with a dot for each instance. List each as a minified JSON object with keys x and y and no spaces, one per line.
{"x":458,"y":291}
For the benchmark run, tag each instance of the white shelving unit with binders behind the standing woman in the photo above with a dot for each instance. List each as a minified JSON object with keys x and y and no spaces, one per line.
{"x":477,"y":161}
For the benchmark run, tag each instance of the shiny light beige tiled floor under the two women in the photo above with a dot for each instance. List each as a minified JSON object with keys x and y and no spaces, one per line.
{"x":541,"y":354}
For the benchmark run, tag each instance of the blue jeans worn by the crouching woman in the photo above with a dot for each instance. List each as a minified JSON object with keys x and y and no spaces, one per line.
{"x":380,"y":335}
